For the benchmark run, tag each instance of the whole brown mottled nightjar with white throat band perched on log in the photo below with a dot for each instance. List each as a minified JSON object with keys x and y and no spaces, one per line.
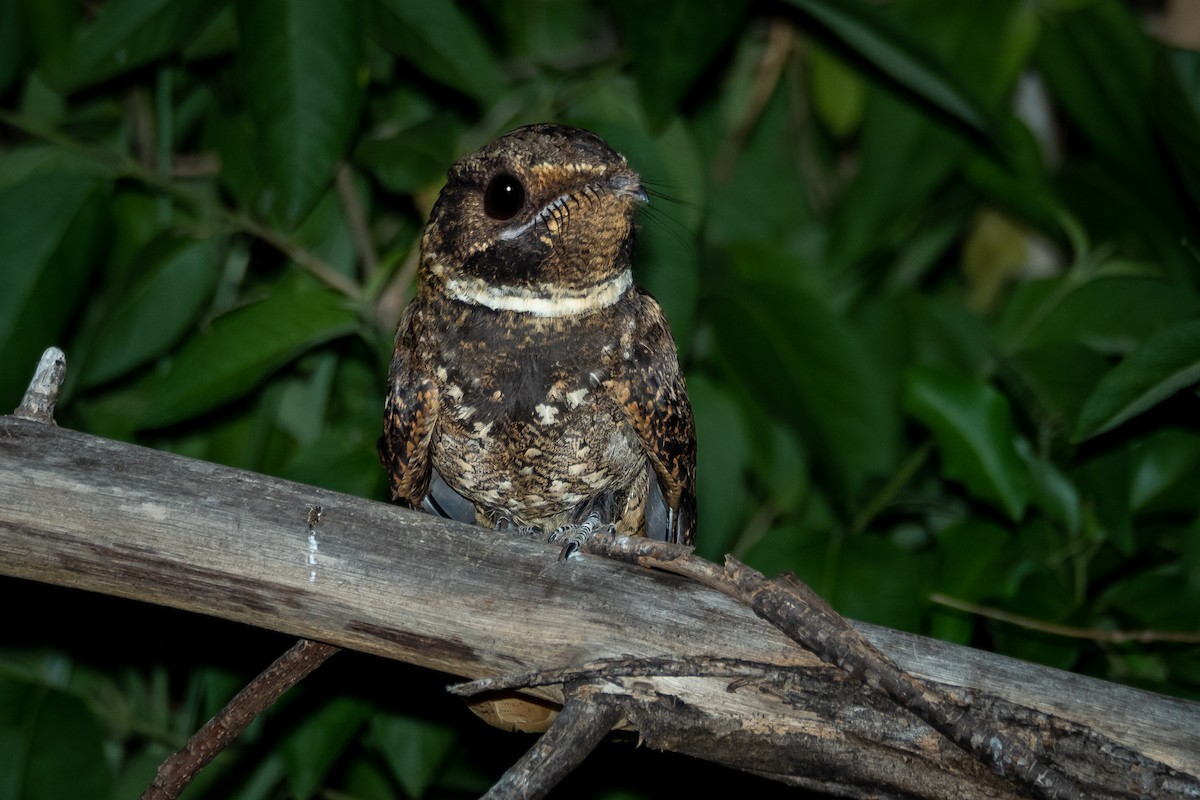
{"x":533,"y":386}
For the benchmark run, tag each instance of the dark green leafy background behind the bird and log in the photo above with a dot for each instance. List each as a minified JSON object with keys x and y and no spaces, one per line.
{"x":932,"y":266}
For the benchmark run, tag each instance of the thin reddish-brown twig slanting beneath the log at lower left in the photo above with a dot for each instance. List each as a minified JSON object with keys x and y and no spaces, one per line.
{"x":177,"y":773}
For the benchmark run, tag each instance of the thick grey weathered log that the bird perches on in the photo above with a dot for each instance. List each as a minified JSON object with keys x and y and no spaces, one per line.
{"x":87,"y":513}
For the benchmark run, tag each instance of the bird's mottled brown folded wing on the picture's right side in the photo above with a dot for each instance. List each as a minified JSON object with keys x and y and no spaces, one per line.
{"x":651,"y":390}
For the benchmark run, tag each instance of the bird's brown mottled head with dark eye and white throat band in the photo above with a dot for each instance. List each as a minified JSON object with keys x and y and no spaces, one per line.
{"x":539,"y":221}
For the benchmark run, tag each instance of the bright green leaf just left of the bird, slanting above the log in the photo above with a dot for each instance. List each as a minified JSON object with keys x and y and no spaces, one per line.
{"x":242,"y":350}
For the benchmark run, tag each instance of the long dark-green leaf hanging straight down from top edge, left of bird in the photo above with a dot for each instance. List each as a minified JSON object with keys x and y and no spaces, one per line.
{"x":303,"y":77}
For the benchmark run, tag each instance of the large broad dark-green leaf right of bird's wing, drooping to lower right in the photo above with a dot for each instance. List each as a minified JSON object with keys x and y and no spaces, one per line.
{"x":808,"y":366}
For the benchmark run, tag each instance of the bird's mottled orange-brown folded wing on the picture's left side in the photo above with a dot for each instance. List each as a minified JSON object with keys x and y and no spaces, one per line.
{"x":410,"y":416}
